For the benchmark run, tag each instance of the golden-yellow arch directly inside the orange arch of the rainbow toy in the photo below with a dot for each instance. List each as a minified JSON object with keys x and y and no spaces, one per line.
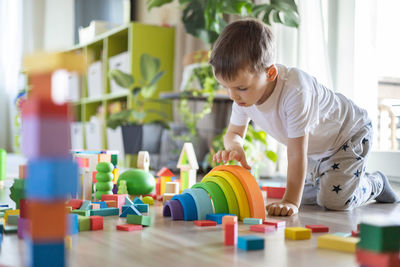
{"x":237,"y":189}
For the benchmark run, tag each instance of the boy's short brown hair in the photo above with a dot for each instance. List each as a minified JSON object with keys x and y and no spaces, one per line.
{"x":243,"y":43}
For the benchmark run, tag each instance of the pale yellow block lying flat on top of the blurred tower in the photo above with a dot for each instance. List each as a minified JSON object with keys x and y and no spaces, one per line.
{"x":48,"y":62}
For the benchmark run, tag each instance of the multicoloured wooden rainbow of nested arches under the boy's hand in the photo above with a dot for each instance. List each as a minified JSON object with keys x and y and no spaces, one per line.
{"x":225,"y":189}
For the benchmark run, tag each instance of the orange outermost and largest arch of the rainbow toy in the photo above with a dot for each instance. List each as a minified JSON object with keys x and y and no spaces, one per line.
{"x":251,"y":187}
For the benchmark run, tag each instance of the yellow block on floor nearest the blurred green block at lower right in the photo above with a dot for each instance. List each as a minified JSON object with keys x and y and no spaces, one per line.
{"x":340,"y":243}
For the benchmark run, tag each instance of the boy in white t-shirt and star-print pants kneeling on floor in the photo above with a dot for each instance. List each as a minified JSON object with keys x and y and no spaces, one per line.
{"x":328,"y":137}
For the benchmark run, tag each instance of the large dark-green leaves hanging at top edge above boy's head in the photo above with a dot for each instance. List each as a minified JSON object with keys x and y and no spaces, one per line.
{"x":205,"y":20}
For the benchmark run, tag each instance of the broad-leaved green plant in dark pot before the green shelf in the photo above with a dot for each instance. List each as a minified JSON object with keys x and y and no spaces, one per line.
{"x":151,"y":74}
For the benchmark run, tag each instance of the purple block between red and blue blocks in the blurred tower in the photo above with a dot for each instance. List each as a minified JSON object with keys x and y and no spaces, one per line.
{"x":45,"y":137}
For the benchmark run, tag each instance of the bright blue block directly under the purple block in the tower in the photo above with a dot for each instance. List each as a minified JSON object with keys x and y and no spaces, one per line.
{"x":50,"y":179}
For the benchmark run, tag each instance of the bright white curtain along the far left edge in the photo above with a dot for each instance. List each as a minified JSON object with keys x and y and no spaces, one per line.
{"x":10,"y":61}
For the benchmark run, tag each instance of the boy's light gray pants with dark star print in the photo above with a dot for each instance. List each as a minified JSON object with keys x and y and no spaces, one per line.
{"x":339,"y":182}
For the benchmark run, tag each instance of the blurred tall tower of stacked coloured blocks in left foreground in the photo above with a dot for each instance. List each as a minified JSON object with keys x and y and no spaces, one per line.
{"x":52,"y":175}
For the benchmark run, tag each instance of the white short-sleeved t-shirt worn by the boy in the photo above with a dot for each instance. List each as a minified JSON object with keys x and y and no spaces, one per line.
{"x":300,"y":105}
